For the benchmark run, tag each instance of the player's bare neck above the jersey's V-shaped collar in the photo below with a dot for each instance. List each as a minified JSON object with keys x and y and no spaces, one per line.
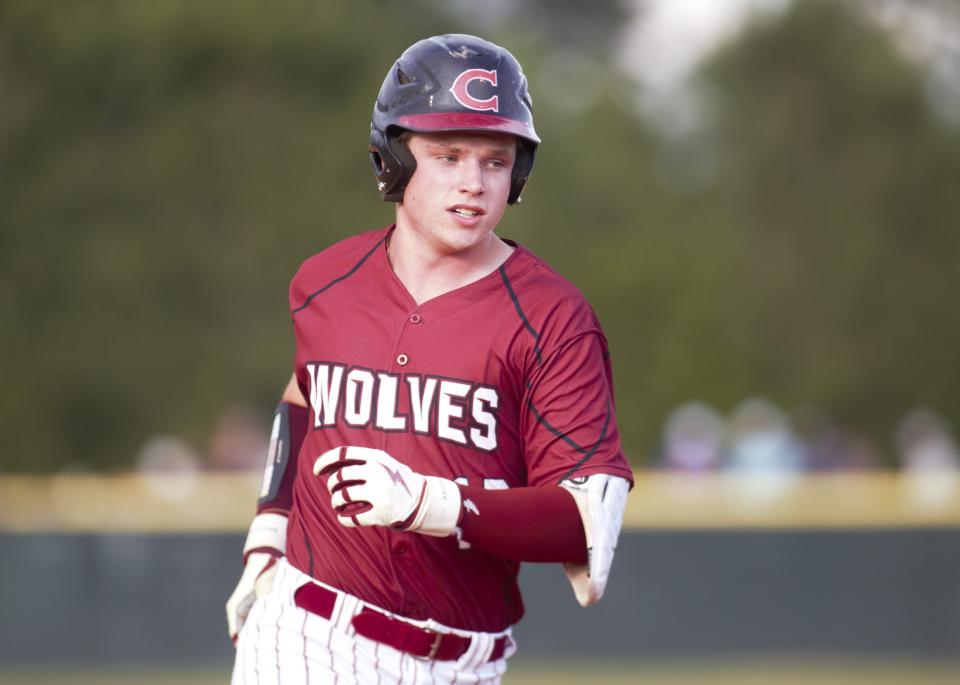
{"x":428,"y":271}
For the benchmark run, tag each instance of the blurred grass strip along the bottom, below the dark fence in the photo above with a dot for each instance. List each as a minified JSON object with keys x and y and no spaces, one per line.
{"x":714,"y":672}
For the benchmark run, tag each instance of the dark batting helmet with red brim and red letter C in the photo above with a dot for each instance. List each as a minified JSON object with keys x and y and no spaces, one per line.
{"x":454,"y":82}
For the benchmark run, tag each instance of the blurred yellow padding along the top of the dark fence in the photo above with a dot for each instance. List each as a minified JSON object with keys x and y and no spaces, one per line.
{"x":225,"y":502}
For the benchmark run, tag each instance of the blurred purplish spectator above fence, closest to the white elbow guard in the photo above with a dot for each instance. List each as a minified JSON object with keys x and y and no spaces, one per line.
{"x":692,"y":438}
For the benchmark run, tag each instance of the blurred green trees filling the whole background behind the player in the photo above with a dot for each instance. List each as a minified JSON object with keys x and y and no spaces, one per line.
{"x":165,"y":167}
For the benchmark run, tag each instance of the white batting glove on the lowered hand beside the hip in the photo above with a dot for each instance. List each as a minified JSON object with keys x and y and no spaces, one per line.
{"x":266,"y":542}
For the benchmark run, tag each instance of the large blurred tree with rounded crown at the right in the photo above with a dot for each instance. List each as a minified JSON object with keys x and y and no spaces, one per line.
{"x":842,"y":188}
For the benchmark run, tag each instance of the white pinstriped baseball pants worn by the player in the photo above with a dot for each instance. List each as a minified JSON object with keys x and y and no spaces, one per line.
{"x":280,"y":643}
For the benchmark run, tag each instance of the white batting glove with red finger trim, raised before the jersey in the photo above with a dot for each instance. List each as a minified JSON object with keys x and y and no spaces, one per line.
{"x":368,"y":487}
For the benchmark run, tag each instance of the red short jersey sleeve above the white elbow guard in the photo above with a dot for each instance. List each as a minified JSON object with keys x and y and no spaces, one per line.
{"x":569,"y":425}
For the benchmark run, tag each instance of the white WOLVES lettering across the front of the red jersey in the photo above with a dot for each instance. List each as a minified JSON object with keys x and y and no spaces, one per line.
{"x":465,"y":412}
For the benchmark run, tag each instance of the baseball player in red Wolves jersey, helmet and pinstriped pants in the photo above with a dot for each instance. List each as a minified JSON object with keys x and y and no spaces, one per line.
{"x":450,"y":414}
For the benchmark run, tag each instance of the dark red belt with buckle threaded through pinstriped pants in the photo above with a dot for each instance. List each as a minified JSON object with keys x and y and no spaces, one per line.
{"x":395,"y":632}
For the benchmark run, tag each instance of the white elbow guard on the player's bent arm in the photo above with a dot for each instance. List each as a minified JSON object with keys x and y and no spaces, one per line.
{"x":601,"y":499}
